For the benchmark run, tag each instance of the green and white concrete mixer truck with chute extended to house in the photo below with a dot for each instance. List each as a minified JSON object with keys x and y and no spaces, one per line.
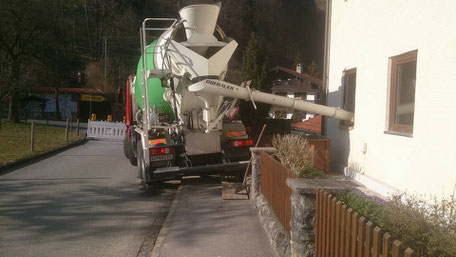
{"x":180,"y":99}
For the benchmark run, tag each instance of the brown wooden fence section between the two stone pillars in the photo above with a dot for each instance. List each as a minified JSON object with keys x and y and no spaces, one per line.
{"x":275,"y":189}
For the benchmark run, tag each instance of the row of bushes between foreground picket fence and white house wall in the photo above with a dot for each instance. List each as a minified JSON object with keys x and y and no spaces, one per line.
{"x":430,"y":230}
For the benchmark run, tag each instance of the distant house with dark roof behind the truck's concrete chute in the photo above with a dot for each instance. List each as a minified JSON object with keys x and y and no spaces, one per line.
{"x":294,"y":84}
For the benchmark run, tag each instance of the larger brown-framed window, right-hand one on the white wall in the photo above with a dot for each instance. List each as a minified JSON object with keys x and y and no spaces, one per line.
{"x":402,"y":93}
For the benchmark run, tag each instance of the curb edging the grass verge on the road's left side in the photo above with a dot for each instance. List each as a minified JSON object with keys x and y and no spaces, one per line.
{"x":5,"y":169}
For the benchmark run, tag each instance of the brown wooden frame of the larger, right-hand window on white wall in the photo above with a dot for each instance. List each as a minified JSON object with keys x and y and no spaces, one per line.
{"x":393,"y":127}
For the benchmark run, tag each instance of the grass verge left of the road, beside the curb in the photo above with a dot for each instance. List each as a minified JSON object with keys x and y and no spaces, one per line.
{"x":15,"y":140}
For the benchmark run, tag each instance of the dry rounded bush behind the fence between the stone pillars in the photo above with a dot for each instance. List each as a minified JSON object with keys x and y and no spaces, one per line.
{"x":295,"y":153}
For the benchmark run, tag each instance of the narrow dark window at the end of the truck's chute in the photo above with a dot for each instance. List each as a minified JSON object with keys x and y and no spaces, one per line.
{"x":349,"y":89}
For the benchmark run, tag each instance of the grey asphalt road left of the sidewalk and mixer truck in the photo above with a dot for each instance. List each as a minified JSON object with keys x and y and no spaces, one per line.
{"x":85,"y":201}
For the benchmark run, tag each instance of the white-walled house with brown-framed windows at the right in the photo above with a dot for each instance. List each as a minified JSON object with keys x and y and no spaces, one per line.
{"x":394,"y":63}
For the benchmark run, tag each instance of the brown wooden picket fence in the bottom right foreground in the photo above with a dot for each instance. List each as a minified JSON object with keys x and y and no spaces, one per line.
{"x":339,"y":232}
